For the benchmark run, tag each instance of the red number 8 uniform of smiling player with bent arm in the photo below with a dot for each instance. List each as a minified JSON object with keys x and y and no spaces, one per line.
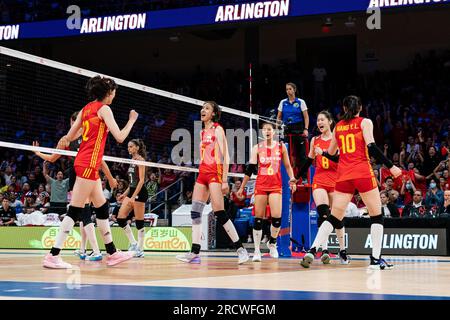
{"x":326,"y":170}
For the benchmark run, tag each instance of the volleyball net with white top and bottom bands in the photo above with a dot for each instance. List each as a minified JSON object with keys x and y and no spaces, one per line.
{"x":38,"y":96}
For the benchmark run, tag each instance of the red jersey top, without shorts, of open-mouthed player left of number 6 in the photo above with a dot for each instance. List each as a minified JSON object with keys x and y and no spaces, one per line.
{"x":210,"y":155}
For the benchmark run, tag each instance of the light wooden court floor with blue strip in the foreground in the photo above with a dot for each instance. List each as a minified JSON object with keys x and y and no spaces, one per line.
{"x":159,"y":276}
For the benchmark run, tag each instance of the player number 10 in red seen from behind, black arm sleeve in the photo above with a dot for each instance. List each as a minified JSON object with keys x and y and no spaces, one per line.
{"x":354,"y":137}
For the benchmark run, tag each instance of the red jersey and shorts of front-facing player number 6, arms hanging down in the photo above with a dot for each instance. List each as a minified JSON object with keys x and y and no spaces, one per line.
{"x":269,"y":169}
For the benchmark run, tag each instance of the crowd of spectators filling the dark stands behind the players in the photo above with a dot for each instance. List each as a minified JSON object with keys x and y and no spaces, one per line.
{"x":409,"y":109}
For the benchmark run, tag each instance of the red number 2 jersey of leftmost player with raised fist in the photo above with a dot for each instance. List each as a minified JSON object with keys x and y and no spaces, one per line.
{"x":94,"y":136}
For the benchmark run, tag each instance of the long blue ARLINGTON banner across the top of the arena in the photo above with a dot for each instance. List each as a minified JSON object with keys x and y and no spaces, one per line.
{"x":206,"y":15}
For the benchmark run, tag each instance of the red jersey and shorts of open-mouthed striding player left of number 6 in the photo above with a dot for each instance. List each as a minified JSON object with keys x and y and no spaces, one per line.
{"x":211,"y":167}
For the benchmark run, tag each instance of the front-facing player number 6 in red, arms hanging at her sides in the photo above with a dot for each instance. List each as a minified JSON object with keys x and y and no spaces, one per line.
{"x":267,"y":156}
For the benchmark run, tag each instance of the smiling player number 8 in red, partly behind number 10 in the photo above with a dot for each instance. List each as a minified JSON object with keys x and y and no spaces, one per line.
{"x":325,"y":180}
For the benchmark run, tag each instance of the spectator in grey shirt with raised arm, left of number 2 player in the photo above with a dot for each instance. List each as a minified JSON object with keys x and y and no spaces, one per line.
{"x":59,"y":190}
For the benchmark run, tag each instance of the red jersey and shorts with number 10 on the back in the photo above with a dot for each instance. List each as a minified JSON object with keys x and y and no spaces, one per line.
{"x":354,"y":169}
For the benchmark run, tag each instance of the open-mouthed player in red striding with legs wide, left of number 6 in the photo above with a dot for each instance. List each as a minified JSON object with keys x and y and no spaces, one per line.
{"x":212,"y":182}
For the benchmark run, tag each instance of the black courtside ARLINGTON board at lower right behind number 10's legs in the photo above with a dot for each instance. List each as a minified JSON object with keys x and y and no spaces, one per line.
{"x":397,"y":241}
